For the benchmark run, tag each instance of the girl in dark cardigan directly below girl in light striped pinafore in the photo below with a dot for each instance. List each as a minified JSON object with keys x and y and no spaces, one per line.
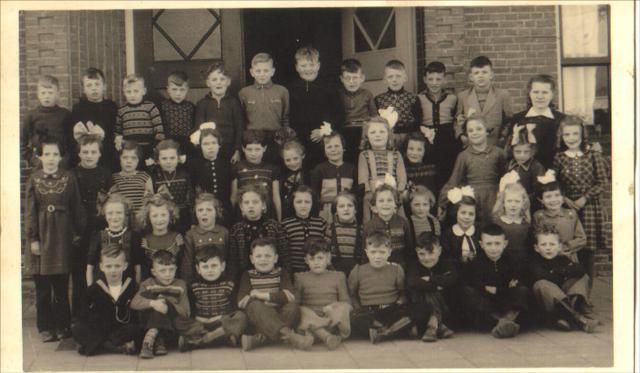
{"x":384,"y":203}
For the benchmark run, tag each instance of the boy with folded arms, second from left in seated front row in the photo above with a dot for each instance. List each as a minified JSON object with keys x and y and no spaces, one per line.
{"x":162,"y":298}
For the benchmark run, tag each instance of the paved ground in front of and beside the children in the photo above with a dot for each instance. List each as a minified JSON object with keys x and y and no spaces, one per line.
{"x":536,"y":348}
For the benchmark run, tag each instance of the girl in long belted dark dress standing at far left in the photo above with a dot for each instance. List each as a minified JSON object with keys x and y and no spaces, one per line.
{"x":54,"y":218}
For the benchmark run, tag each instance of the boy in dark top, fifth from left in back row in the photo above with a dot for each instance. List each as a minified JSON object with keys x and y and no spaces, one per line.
{"x":220,"y":107}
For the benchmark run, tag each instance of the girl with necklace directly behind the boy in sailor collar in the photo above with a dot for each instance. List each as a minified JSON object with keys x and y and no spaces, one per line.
{"x":117,"y":212}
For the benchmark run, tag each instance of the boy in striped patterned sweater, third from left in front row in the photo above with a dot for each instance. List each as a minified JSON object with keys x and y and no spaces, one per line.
{"x":212,"y":294}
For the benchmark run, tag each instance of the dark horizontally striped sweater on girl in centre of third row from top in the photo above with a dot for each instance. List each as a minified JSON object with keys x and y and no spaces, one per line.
{"x":298,"y":231}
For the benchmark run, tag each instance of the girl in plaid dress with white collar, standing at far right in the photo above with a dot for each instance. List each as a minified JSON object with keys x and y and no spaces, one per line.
{"x":583,"y":174}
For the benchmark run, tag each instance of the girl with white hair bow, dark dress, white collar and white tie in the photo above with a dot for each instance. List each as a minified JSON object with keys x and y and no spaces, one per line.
{"x":461,"y":241}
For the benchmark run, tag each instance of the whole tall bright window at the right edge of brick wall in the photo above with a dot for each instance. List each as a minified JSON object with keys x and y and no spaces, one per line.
{"x":585,"y":61}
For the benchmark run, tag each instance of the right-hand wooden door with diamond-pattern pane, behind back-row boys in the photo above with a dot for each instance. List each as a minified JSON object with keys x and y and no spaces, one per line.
{"x":377,"y":35}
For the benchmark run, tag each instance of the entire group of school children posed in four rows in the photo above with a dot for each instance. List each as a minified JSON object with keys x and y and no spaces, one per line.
{"x":222,"y":223}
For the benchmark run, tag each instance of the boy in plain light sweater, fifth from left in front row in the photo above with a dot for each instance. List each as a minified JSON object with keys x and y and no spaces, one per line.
{"x":323,"y":296}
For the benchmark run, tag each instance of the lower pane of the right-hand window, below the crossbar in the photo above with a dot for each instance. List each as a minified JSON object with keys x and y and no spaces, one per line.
{"x":586,"y":94}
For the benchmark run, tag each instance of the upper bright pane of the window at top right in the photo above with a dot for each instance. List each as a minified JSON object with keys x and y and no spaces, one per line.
{"x":585,"y":31}
